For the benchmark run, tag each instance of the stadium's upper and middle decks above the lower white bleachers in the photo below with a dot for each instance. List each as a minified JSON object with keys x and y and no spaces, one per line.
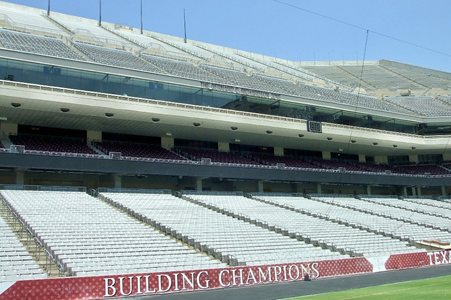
{"x":277,"y":125}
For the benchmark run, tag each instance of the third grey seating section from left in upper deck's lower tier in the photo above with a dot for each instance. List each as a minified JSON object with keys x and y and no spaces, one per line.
{"x":182,"y":69}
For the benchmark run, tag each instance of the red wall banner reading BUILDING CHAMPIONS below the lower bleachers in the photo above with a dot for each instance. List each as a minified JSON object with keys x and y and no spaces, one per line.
{"x":116,"y":286}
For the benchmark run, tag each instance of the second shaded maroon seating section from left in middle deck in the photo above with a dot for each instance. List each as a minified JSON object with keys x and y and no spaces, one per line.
{"x":136,"y":150}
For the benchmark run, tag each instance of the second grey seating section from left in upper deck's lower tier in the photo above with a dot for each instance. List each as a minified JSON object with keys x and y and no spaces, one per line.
{"x":117,"y":58}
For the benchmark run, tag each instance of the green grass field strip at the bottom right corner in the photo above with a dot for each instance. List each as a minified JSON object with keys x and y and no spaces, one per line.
{"x":426,"y":289}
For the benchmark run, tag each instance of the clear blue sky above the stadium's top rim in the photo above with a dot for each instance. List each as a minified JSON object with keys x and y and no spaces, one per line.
{"x":292,"y":29}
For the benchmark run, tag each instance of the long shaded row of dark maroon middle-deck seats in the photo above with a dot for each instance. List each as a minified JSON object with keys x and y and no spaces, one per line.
{"x":73,"y":147}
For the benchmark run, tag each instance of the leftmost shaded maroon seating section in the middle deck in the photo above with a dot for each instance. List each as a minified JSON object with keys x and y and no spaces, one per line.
{"x":52,"y":144}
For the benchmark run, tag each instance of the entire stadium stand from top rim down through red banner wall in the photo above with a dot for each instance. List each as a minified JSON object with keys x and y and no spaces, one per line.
{"x":135,"y":163}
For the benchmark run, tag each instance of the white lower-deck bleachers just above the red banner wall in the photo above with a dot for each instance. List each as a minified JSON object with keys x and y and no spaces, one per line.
{"x":134,"y":232}
